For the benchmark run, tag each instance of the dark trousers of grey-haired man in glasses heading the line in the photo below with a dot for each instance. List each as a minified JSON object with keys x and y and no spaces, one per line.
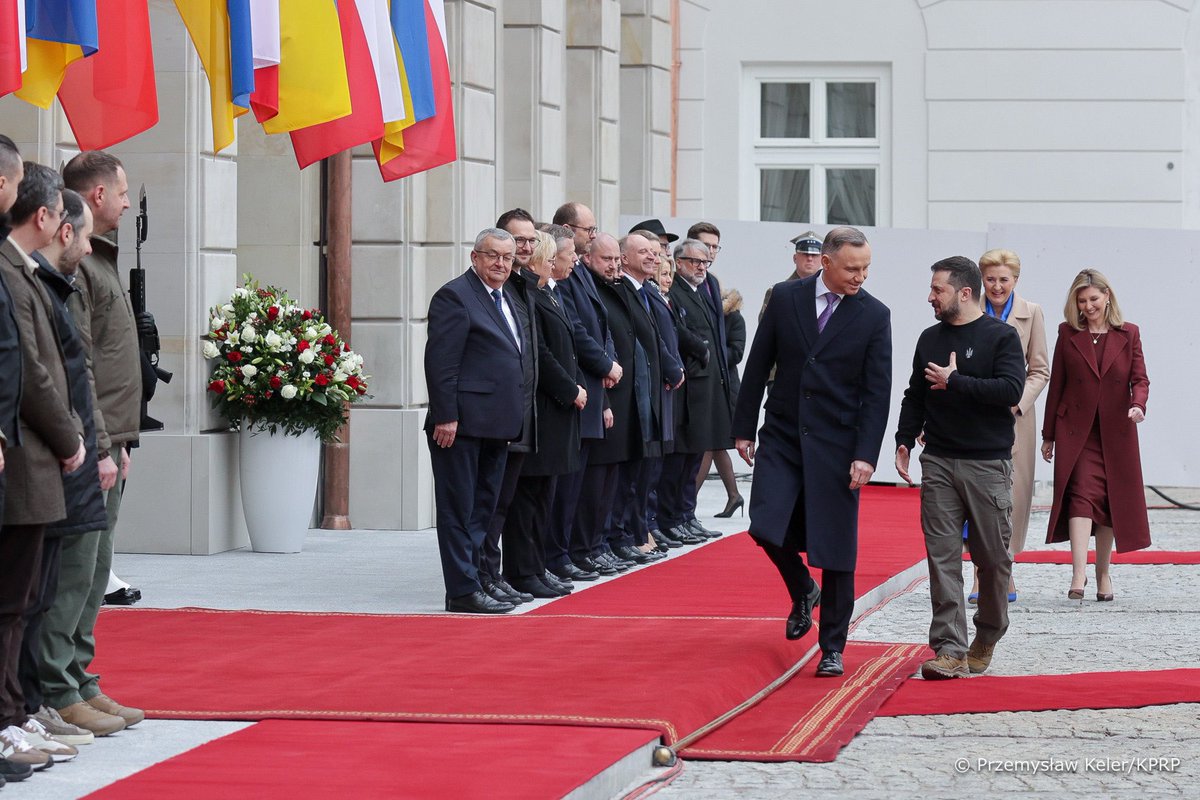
{"x":466,"y":483}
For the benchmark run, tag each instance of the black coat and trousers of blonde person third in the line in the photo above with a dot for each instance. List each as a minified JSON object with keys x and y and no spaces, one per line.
{"x":527,"y":533}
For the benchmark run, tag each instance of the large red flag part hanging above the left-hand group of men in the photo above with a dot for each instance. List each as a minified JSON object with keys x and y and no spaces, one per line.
{"x":112,"y":95}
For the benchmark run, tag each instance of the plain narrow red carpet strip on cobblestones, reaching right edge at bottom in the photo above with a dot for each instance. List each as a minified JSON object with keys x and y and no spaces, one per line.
{"x":1090,"y":690}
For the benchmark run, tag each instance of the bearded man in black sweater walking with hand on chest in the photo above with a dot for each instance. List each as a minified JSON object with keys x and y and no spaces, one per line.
{"x":968,"y":374}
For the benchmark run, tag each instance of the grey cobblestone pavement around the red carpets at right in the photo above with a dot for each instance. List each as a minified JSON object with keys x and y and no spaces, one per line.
{"x":1154,"y":624}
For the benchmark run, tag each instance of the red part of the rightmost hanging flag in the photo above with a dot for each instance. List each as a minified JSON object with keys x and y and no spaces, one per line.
{"x":429,"y":143}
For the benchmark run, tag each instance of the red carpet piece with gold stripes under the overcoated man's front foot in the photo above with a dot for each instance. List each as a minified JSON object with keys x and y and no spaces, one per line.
{"x":811,"y":719}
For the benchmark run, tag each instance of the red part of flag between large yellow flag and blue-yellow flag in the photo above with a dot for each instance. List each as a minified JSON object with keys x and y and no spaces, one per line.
{"x":365,"y":123}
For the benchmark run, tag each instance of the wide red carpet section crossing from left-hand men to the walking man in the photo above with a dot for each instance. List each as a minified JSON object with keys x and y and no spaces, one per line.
{"x":530,"y":670}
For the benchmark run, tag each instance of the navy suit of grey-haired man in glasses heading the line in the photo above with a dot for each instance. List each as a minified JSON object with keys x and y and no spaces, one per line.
{"x":475,"y":376}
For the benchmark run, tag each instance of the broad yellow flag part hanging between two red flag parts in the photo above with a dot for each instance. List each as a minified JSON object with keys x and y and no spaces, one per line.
{"x":314,"y":87}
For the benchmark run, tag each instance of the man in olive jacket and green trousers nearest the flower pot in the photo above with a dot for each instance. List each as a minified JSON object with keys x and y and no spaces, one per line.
{"x":105,"y":318}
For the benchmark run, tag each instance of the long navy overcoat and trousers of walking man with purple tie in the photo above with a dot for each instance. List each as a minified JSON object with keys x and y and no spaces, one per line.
{"x":829,"y":408}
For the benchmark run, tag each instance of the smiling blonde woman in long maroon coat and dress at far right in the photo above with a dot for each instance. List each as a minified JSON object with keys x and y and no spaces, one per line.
{"x":1099,"y":390}
